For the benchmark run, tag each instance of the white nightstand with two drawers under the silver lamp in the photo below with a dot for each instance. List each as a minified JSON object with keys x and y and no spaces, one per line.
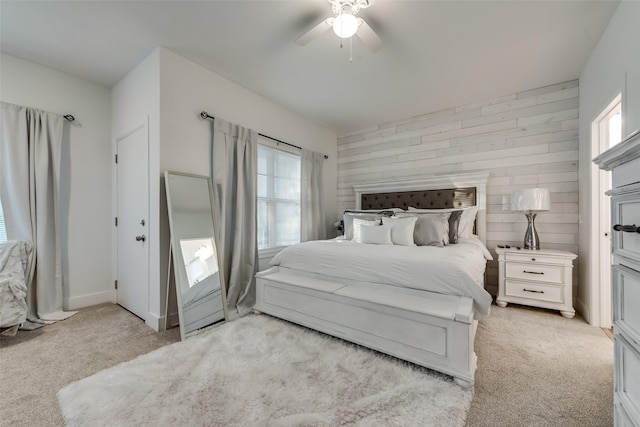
{"x":539,"y":278}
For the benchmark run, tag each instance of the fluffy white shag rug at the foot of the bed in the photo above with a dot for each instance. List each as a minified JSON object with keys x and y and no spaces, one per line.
{"x":261,"y":371}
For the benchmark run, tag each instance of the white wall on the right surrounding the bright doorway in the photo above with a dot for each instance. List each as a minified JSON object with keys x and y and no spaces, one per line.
{"x":612,"y":68}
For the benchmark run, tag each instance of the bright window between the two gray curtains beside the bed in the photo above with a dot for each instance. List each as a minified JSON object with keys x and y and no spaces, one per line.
{"x":278,"y":197}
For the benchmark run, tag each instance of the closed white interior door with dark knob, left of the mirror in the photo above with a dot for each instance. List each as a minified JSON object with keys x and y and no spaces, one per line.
{"x":132,"y":221}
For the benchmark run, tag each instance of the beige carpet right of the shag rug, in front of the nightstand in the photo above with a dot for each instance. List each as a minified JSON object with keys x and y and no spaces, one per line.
{"x":536,"y":368}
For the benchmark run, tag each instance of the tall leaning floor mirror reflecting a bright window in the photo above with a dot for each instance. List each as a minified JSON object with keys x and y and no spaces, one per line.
{"x":199,"y":289}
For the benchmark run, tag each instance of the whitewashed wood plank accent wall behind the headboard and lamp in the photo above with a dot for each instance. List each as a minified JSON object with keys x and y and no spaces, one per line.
{"x":524,"y":140}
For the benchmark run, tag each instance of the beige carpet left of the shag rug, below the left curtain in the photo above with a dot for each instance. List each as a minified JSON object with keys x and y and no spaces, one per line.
{"x":34,"y":365}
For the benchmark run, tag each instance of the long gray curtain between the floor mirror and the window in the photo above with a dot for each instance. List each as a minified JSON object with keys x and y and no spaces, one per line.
{"x":234,"y":170}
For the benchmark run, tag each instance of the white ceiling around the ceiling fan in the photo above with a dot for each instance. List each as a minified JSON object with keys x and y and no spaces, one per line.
{"x":437,"y":54}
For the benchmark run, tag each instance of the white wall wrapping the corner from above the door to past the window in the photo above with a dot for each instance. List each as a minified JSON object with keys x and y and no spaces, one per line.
{"x":172,"y":91}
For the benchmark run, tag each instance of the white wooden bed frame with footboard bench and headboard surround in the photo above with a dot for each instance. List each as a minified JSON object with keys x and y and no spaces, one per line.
{"x":432,"y":330}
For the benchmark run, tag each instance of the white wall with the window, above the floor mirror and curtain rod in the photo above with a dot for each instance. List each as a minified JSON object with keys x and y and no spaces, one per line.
{"x":188,"y":88}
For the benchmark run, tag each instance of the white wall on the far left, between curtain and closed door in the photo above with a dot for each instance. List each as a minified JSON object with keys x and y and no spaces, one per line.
{"x":85,"y":194}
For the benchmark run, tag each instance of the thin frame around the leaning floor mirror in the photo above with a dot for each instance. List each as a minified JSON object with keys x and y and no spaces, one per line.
{"x":176,"y":255}
